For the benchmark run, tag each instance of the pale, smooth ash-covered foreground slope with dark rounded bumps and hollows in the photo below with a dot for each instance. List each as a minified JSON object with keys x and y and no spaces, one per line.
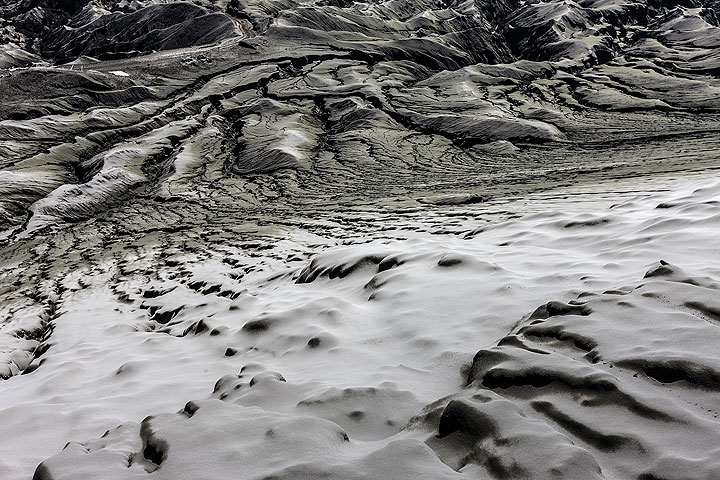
{"x":574,"y":339}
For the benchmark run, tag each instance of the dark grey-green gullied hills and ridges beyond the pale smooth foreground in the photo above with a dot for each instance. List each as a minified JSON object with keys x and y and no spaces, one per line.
{"x":302,"y":102}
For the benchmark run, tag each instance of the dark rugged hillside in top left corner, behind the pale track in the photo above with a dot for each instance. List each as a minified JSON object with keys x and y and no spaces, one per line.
{"x":64,"y":30}
